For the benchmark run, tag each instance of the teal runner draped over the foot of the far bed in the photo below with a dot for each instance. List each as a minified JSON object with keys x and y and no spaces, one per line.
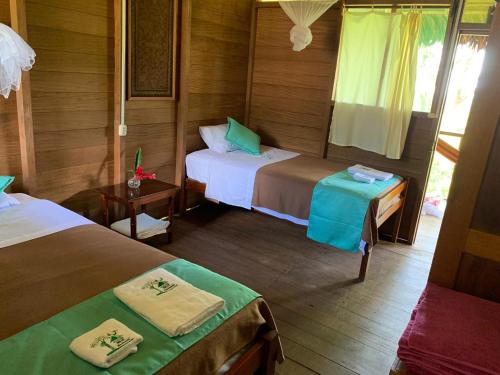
{"x":338,"y":209}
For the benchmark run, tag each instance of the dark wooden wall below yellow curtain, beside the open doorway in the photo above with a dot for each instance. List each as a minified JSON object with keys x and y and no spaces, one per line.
{"x":414,"y":163}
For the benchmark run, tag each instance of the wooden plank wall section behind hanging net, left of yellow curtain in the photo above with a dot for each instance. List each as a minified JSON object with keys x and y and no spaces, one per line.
{"x":291,"y":91}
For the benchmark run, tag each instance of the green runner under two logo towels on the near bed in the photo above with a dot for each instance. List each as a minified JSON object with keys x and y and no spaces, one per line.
{"x":44,"y":347}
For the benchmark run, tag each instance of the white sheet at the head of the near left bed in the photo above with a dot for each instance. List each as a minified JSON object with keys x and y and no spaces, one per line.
{"x":35,"y":218}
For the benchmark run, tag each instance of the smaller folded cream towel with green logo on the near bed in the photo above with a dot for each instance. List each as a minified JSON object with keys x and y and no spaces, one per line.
{"x":106,"y":344}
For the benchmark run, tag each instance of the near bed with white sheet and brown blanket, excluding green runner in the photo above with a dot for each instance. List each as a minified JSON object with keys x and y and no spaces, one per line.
{"x":58,"y":259}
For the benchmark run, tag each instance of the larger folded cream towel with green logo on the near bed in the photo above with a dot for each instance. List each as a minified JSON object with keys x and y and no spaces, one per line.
{"x":168,"y":302}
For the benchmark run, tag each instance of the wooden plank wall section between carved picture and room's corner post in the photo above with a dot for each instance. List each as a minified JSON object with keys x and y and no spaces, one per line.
{"x":220,"y":34}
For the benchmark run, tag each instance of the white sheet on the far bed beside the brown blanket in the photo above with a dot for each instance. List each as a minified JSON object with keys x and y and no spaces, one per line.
{"x":230,"y":176}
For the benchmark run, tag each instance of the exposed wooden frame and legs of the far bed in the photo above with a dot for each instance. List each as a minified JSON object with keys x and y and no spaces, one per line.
{"x":387,"y":205}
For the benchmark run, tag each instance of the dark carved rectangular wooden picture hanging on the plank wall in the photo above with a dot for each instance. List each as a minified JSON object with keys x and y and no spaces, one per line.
{"x":152,"y":41}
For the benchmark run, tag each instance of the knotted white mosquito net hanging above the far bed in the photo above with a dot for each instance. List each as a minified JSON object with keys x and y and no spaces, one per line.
{"x":303,"y":14}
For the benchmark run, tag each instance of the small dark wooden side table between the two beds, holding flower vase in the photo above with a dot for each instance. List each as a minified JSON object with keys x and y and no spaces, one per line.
{"x":135,"y":200}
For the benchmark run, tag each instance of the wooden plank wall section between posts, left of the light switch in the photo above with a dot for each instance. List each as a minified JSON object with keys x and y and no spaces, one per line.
{"x":72,"y":95}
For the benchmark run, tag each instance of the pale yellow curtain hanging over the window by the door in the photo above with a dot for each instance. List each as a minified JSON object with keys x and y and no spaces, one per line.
{"x":376,"y":80}
